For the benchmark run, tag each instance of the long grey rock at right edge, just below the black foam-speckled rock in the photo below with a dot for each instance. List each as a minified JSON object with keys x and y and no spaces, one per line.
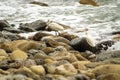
{"x":107,"y":55}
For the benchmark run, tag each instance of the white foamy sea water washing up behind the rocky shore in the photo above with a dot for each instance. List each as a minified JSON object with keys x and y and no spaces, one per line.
{"x":99,"y":20}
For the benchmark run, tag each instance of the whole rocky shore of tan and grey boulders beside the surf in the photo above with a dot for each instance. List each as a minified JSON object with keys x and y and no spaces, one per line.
{"x":59,"y":56}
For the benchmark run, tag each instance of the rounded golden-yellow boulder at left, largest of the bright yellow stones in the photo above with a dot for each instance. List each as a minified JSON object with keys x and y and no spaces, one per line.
{"x":18,"y":55}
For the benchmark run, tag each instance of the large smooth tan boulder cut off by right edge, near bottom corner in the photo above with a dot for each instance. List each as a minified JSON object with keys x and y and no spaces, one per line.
{"x":105,"y":69}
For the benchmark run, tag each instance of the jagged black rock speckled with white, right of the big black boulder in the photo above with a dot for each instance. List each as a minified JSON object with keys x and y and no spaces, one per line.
{"x":104,"y":45}
